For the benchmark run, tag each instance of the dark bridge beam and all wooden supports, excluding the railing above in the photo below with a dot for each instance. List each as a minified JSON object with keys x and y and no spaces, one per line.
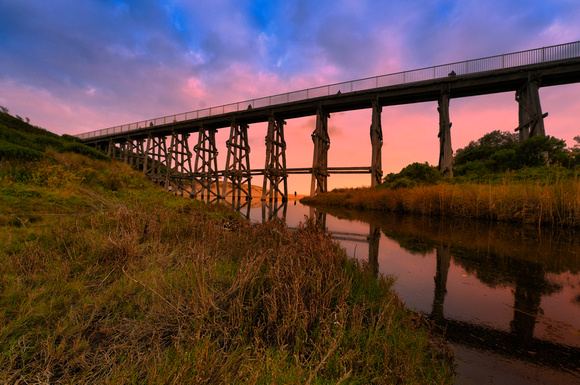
{"x":163,"y":153}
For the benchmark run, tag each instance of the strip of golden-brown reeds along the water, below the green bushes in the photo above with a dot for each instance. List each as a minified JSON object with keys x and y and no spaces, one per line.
{"x":528,"y":202}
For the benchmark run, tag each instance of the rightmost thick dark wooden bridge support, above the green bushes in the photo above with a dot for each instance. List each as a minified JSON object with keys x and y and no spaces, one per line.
{"x":531,"y":119}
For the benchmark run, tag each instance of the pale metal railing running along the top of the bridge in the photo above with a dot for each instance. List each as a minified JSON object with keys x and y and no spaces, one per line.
{"x":510,"y":60}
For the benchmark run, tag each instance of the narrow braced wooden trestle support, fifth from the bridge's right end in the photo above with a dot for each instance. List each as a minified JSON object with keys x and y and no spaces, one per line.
{"x":275,"y":172}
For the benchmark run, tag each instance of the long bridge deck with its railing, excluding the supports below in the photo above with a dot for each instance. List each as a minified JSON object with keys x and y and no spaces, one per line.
{"x":554,"y":65}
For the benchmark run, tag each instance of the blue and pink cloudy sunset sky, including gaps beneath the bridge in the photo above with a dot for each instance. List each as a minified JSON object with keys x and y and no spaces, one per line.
{"x":75,"y":66}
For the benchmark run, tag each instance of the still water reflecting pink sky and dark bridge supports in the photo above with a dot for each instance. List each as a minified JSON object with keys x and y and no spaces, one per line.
{"x":508,"y":296}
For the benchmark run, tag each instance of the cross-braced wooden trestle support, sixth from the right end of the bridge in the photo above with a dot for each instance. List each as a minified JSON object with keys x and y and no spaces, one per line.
{"x":237,"y":171}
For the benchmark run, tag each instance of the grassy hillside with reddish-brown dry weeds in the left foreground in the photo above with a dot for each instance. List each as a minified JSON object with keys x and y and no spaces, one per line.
{"x":105,"y":278}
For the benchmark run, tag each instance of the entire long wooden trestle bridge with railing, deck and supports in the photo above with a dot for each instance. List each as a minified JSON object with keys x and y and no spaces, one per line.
{"x":161,"y":148}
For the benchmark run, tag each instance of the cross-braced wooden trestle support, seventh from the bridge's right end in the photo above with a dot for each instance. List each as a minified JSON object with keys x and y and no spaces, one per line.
{"x":206,"y":181}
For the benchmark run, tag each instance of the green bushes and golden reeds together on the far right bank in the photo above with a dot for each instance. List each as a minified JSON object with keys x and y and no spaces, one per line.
{"x":498,"y":180}
